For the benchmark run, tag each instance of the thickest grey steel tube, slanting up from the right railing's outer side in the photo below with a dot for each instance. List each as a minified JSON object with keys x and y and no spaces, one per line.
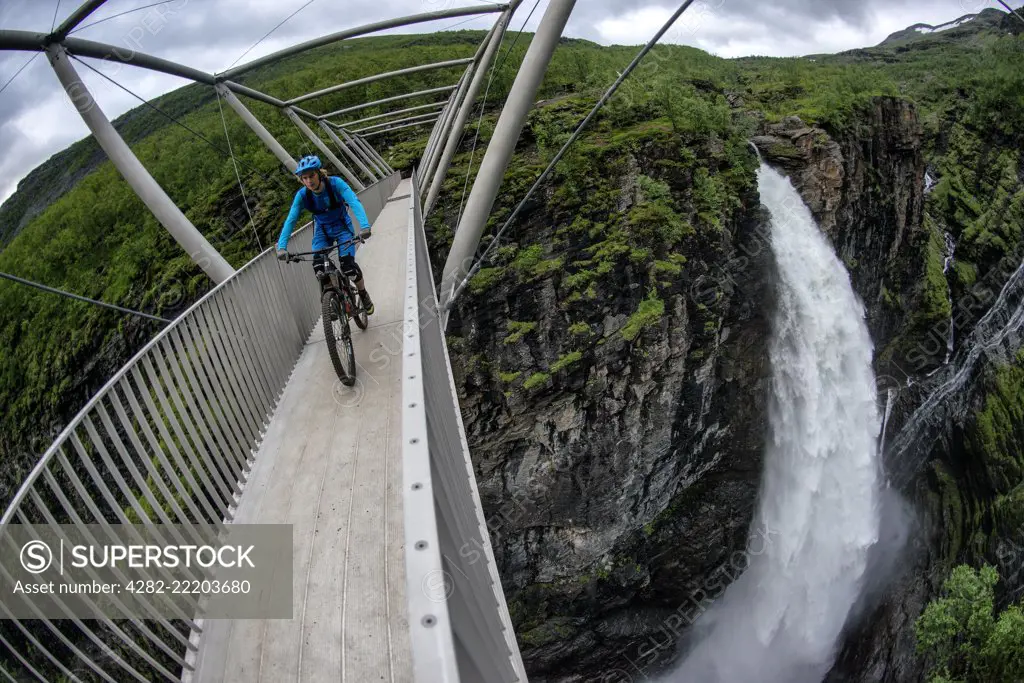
{"x":499,"y":153}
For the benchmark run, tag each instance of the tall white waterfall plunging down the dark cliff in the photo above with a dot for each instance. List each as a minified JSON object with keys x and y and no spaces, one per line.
{"x":820,"y":500}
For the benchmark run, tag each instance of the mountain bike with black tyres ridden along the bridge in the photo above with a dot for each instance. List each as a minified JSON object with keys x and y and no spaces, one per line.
{"x":339,"y":304}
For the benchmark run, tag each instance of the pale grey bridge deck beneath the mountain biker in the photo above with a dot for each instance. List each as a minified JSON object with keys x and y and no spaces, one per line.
{"x":331,"y":466}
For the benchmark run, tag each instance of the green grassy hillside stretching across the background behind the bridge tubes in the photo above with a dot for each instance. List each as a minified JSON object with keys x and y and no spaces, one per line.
{"x":100,"y":241}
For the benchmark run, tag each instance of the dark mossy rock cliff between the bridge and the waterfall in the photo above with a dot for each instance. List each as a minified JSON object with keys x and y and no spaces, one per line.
{"x":617,"y":432}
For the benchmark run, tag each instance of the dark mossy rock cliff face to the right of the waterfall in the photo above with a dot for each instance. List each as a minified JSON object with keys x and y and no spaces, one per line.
{"x":954,"y":453}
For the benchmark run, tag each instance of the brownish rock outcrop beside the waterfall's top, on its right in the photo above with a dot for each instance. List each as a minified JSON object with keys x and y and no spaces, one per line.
{"x":864,"y":185}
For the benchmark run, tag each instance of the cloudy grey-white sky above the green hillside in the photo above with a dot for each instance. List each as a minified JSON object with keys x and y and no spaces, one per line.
{"x":36,"y":119}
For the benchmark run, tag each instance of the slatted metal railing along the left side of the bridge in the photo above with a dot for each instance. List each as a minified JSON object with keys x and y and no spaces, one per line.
{"x":169,"y":441}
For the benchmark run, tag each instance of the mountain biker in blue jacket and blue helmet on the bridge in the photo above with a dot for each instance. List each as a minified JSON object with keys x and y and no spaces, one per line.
{"x":327,"y":197}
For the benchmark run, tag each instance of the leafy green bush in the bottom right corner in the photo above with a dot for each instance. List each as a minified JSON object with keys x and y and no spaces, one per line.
{"x":964,"y":637}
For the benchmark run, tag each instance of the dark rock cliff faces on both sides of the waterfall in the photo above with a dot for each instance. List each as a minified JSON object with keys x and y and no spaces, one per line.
{"x":618,"y":433}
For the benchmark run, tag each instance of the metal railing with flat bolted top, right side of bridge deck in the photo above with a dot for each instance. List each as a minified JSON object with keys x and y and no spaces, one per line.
{"x":460,"y":625}
